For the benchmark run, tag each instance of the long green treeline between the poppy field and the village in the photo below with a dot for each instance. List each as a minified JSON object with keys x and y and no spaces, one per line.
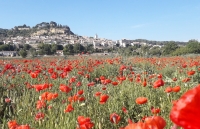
{"x":169,"y":49}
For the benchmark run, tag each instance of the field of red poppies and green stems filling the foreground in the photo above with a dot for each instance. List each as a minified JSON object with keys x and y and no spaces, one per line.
{"x":100,"y":93}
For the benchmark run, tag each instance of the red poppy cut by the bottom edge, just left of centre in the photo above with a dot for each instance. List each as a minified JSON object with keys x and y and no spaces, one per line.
{"x":84,"y":123}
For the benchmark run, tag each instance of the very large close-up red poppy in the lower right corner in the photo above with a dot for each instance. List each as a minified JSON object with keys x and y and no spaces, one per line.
{"x":185,"y":112}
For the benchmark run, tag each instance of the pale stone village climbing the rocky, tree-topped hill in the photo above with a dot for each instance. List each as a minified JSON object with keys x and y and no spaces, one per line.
{"x":61,"y":37}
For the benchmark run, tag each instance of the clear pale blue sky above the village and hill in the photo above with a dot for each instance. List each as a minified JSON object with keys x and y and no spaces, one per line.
{"x":161,"y":20}
